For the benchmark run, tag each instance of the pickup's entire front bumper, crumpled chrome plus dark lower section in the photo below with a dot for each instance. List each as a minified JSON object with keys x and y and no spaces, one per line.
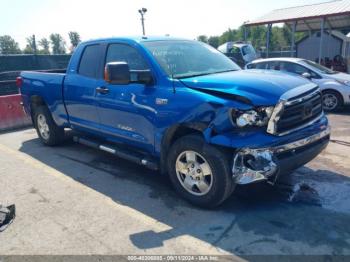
{"x":253,"y":164}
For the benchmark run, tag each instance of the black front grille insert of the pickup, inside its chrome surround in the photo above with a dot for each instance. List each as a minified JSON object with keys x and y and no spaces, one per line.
{"x":297,"y":113}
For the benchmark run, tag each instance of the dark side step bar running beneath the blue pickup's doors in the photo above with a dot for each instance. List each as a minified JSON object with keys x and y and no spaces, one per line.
{"x":122,"y":153}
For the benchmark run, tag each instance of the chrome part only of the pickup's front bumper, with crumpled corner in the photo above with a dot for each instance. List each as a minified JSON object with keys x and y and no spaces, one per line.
{"x":257,"y":164}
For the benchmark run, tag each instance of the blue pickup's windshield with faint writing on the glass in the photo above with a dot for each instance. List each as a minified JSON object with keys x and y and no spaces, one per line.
{"x":180,"y":59}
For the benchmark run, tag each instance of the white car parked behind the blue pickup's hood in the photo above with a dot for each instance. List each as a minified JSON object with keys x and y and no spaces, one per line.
{"x":335,"y":86}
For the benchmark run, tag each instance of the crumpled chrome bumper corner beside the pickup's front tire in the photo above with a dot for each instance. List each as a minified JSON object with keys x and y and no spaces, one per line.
{"x":253,"y":165}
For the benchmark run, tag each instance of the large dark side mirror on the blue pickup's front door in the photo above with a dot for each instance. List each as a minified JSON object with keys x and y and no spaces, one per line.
{"x":117,"y":73}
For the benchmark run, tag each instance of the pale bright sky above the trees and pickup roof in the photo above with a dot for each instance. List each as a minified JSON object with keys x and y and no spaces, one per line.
{"x":102,"y":18}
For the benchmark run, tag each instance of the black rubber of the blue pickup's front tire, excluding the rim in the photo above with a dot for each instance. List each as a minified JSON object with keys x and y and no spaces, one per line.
{"x":222,"y":185}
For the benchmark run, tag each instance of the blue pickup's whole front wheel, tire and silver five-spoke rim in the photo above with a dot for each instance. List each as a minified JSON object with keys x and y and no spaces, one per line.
{"x":200,"y":172}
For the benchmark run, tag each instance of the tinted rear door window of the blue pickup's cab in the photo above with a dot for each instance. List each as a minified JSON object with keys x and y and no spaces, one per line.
{"x":90,"y":61}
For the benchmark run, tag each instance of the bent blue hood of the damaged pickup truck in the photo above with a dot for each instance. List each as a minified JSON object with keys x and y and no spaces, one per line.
{"x":260,"y":87}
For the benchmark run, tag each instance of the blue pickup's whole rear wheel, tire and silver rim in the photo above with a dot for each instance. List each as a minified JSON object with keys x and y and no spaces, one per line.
{"x":49,"y":133}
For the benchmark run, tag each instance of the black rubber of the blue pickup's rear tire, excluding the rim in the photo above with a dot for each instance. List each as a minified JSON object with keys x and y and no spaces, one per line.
{"x":56,"y":133}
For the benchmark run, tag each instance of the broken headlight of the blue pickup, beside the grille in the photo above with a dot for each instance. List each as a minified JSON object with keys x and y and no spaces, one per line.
{"x":254,"y":117}
